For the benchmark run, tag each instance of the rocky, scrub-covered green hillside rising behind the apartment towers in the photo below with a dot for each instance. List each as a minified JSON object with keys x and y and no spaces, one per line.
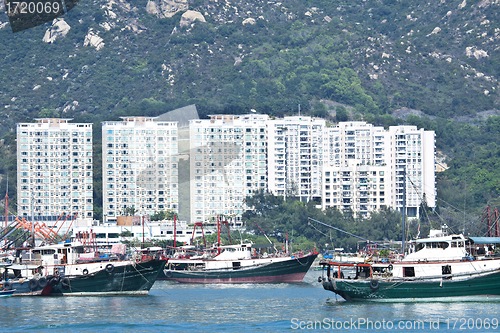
{"x":375,"y":56}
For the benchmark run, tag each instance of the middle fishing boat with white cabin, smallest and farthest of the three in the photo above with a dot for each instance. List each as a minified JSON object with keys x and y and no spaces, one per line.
{"x":240,"y":264}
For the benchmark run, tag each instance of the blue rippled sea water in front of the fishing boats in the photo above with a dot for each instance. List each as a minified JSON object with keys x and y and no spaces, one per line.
{"x":240,"y":308}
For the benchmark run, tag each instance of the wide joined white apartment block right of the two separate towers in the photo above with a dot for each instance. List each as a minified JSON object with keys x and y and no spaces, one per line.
{"x":350,"y":166}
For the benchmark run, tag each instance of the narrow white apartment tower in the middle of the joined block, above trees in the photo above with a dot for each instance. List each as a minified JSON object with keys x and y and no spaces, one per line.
{"x":295,"y":156}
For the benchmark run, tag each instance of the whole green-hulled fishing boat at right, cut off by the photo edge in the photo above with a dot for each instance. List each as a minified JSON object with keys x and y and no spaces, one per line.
{"x":441,"y":268}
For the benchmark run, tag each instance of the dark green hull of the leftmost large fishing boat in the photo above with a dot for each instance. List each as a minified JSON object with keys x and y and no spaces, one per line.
{"x":134,"y":279}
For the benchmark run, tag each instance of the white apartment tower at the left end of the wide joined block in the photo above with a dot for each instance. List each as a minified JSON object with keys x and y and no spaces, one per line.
{"x":227,"y":163}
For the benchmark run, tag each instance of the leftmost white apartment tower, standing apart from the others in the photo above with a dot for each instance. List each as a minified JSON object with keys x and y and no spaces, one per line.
{"x":54,"y":169}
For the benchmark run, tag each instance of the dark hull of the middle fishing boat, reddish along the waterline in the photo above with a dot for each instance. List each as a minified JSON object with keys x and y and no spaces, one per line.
{"x":287,"y":271}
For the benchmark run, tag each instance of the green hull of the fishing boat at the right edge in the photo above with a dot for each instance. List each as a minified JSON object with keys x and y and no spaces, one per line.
{"x":481,"y":287}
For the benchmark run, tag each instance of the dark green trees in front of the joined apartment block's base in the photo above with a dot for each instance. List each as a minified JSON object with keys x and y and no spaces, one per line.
{"x":279,"y":217}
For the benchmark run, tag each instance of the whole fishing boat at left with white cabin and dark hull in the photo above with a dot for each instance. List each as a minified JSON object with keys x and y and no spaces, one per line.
{"x":71,"y":269}
